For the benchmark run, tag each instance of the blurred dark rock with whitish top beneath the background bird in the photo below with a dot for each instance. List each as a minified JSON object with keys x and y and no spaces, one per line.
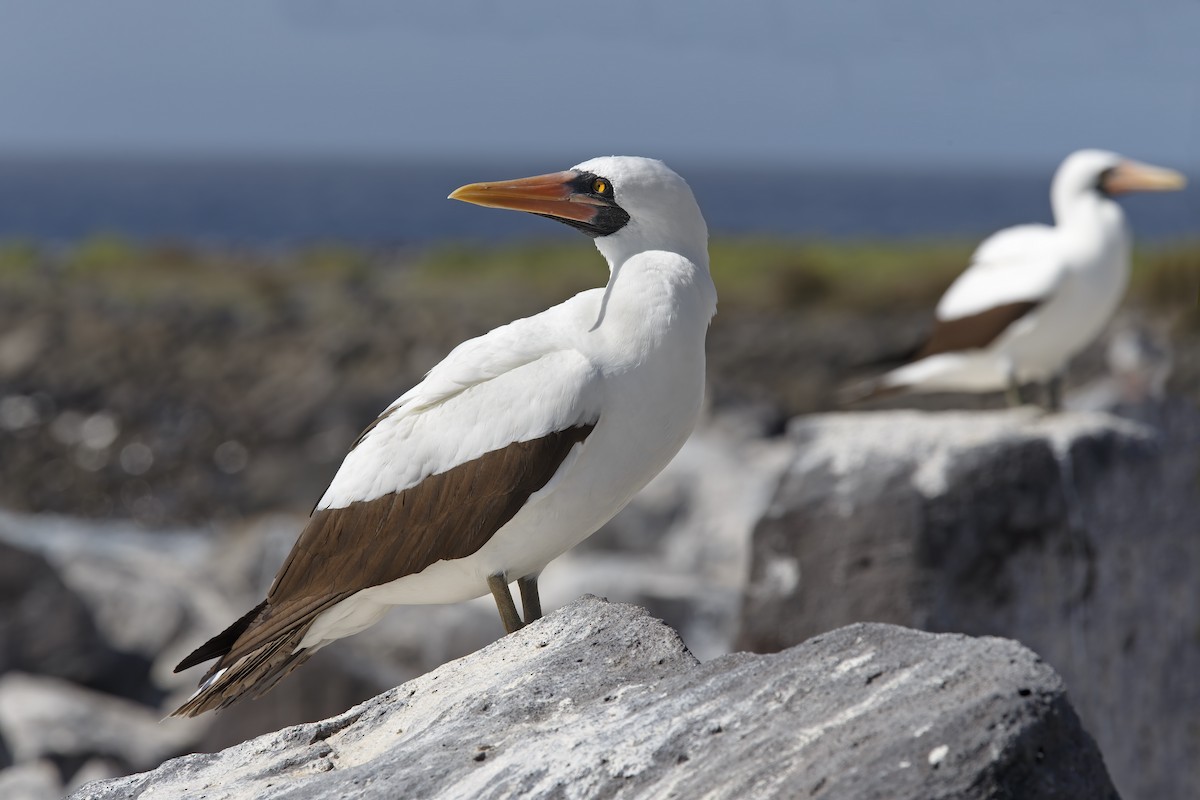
{"x":1076,"y":534}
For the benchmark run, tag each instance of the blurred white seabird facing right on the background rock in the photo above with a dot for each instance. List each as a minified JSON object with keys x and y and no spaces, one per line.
{"x":1035,"y":296}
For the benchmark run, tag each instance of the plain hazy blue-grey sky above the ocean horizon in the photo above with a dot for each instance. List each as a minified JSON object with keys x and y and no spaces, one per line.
{"x":929,"y":82}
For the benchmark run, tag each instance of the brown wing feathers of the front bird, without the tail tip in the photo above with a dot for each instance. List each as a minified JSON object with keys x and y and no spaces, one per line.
{"x":367,"y":544}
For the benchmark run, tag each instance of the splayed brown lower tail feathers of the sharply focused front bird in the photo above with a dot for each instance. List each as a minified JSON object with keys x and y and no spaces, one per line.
{"x":255,"y":675}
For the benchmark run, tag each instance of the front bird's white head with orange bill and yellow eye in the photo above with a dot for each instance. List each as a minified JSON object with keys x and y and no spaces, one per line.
{"x":628,"y":204}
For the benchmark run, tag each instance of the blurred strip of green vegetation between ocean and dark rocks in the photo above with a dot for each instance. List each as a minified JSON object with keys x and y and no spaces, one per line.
{"x":751,"y":273}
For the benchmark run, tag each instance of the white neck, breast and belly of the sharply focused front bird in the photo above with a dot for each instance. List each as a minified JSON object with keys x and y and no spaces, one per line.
{"x":645,"y":338}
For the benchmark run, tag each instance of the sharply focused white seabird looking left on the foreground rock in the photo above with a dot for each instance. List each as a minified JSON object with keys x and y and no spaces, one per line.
{"x":515,"y":448}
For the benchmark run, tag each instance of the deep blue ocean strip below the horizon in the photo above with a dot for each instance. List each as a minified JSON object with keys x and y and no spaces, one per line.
{"x":395,"y":203}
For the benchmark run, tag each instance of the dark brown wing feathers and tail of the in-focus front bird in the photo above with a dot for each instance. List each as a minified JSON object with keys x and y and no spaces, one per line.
{"x":344,"y":551}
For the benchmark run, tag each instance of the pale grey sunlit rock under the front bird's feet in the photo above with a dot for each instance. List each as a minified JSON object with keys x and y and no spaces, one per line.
{"x":602,"y":701}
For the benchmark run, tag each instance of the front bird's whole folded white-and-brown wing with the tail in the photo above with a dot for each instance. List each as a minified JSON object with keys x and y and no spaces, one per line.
{"x":434,"y":479}
